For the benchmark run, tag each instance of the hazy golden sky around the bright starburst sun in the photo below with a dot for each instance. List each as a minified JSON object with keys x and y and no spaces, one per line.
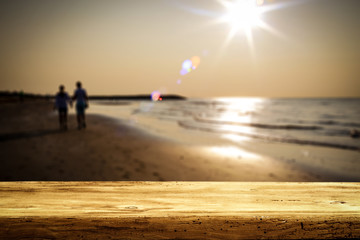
{"x":300,"y":48}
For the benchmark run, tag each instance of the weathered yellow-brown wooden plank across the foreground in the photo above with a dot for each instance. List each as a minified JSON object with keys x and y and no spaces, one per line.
{"x":178,"y":210}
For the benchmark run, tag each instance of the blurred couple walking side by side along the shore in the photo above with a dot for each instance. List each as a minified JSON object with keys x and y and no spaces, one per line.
{"x":62,"y":100}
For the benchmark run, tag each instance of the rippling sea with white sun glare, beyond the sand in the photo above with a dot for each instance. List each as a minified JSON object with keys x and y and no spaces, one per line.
{"x":325,"y":122}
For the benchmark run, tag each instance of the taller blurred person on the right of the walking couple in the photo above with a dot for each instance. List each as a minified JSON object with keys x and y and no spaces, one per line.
{"x":81,"y":104}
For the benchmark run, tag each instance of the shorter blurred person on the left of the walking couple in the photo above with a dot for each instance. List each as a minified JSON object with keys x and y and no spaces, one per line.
{"x":61,"y":101}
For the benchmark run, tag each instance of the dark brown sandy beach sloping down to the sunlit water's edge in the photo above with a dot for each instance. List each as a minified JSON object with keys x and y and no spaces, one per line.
{"x":33,"y":148}
